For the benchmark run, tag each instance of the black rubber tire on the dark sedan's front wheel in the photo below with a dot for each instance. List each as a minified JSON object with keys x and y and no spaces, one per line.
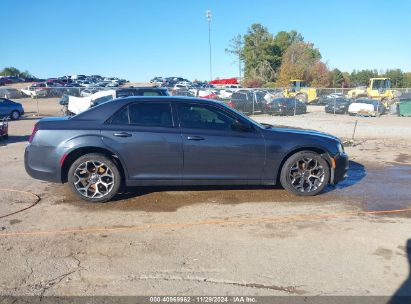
{"x":319,"y":184}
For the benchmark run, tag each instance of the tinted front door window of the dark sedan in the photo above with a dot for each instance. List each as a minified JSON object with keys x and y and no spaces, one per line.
{"x":204,"y":117}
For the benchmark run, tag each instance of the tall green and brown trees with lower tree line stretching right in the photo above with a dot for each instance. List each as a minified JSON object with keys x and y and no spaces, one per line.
{"x":273,"y":60}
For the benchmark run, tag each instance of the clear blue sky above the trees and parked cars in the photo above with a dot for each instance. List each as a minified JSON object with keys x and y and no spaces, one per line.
{"x":140,"y":39}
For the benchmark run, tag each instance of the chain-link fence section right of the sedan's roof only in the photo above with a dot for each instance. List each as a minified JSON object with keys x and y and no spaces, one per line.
{"x":286,"y":101}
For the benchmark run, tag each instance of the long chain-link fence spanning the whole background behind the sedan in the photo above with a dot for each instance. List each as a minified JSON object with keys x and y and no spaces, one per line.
{"x":251,"y":101}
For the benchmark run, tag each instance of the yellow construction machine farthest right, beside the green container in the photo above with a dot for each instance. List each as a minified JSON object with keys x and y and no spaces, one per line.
{"x":378,"y":88}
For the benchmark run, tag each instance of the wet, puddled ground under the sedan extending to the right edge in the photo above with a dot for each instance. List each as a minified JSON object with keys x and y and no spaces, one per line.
{"x":369,"y":187}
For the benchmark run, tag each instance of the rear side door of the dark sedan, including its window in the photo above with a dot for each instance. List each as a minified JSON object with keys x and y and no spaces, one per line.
{"x":148,"y":141}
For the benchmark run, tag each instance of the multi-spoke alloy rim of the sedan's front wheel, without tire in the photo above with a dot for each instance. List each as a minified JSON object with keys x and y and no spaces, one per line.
{"x":306,"y":175}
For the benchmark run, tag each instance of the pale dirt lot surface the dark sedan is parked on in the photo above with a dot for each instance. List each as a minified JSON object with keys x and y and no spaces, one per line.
{"x":351,"y":240}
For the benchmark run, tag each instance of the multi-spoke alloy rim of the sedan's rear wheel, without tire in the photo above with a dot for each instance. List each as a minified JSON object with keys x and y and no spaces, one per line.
{"x":93,"y":179}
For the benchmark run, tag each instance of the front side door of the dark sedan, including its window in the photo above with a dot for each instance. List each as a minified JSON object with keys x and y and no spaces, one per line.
{"x":219,"y":146}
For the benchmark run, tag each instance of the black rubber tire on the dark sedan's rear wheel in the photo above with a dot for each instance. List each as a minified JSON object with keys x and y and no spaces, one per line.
{"x":111,"y":168}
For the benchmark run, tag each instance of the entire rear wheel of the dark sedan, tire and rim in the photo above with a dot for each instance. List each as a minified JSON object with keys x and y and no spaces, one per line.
{"x":94,"y":178}
